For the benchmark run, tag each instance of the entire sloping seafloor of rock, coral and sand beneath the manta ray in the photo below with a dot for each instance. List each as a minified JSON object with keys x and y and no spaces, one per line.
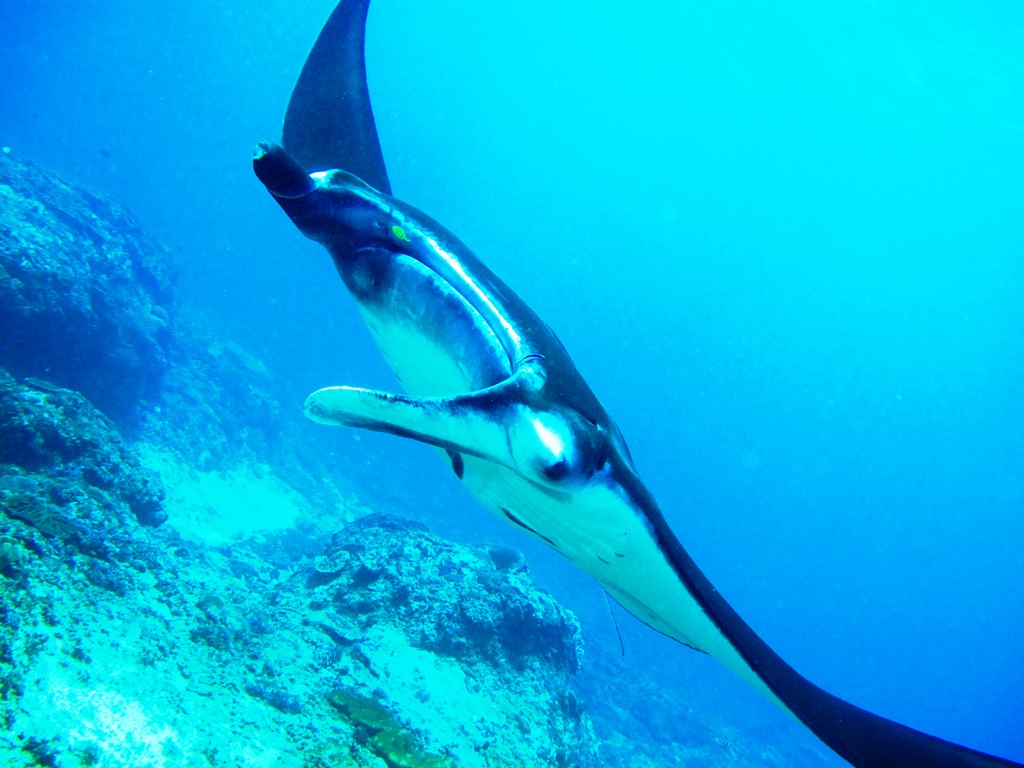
{"x":184,"y":582}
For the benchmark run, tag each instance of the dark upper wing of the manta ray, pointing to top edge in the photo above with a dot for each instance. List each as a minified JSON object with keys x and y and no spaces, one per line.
{"x":330,"y":123}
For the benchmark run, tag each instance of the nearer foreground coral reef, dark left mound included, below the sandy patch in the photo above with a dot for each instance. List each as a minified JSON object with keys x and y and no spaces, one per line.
{"x":392,"y":645}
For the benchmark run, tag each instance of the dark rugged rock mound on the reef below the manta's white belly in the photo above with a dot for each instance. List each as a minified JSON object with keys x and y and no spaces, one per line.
{"x":496,"y":614}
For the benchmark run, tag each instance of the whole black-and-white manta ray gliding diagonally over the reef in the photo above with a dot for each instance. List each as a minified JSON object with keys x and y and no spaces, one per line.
{"x":489,"y":383}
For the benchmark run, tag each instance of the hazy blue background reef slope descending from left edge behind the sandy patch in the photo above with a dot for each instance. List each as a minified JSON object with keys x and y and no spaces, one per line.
{"x":88,"y":305}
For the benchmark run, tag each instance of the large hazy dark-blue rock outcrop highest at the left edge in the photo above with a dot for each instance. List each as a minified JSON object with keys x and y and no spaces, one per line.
{"x":86,"y":294}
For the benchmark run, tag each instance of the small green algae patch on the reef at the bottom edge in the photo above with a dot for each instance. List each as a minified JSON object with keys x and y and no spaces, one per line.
{"x":383,"y":734}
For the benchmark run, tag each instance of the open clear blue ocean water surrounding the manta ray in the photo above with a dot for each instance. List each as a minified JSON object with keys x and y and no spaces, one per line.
{"x":784,"y":244}
